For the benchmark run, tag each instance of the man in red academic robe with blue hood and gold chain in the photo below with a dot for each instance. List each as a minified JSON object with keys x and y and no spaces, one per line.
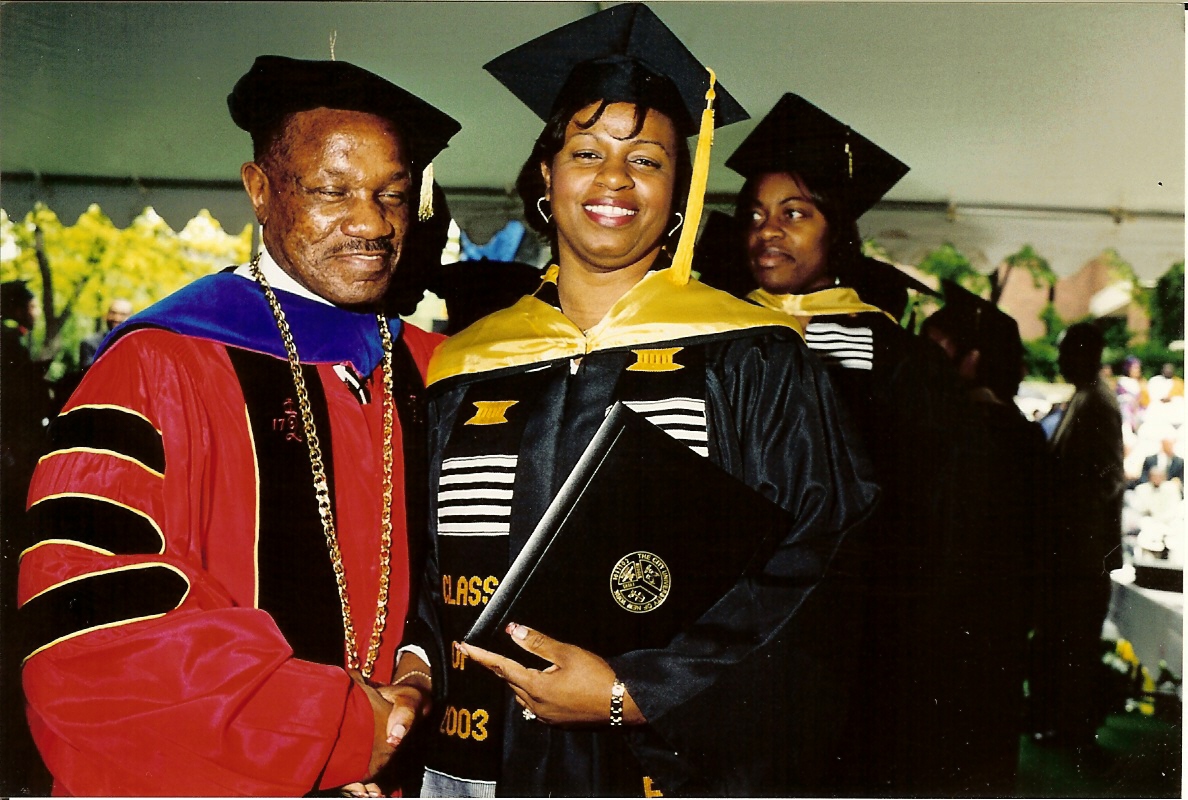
{"x":219,"y":566}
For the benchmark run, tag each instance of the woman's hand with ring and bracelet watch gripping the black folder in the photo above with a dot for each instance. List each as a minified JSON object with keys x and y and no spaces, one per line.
{"x":574,"y":691}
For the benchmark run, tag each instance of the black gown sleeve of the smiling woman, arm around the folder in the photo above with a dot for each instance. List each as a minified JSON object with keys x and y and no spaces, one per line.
{"x":776,"y":424}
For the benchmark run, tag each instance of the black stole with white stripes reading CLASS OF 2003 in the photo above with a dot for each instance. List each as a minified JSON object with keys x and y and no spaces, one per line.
{"x":513,"y":444}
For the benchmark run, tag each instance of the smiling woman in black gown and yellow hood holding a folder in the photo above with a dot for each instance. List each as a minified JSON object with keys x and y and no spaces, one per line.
{"x":736,"y":382}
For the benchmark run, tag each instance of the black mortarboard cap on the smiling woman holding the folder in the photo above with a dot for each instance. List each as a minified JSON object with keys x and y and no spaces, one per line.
{"x":624,"y":54}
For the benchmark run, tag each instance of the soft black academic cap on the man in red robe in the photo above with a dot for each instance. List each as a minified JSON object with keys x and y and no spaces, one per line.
{"x":277,"y":86}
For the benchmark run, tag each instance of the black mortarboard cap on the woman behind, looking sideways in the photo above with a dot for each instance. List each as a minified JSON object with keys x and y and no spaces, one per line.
{"x":798,"y":137}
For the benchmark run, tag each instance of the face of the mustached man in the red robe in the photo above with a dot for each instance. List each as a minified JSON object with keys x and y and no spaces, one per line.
{"x":333,"y":197}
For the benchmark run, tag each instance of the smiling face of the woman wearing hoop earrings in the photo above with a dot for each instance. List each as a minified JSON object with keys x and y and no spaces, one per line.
{"x":611,"y":188}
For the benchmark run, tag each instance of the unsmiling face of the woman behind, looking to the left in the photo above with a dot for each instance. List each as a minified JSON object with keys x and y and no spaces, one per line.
{"x":788,"y":241}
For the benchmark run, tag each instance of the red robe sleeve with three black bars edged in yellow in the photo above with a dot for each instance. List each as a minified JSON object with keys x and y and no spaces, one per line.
{"x":149,"y":671}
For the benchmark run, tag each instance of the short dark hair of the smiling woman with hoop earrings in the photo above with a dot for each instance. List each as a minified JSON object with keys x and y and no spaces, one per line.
{"x":530,"y":184}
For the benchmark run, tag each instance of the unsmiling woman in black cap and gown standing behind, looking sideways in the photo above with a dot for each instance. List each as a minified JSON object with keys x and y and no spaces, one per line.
{"x":898,"y":721}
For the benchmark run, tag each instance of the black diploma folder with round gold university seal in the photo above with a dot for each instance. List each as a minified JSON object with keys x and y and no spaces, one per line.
{"x":644,"y":537}
